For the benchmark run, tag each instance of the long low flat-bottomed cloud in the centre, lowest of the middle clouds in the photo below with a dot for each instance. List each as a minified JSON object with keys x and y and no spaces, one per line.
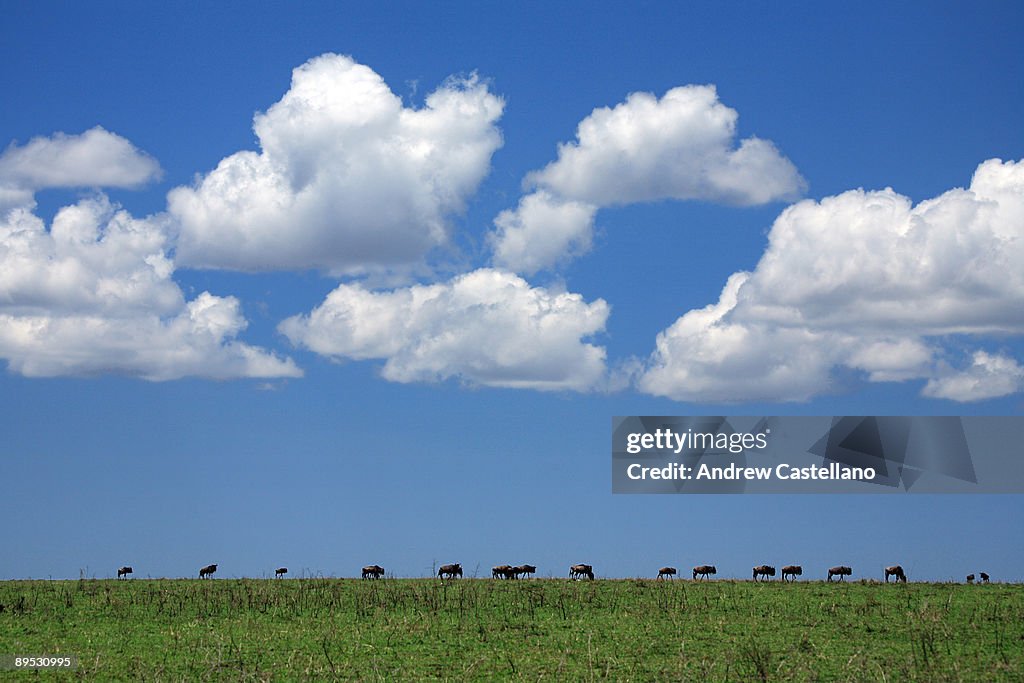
{"x":486,"y":328}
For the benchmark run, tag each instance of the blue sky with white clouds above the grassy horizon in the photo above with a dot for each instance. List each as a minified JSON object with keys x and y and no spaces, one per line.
{"x":391,"y":323}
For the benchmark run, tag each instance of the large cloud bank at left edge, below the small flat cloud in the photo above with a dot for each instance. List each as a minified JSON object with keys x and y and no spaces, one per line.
{"x":95,"y":295}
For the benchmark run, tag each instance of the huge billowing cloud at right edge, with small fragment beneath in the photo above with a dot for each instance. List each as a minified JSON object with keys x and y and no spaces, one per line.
{"x":866,"y":281}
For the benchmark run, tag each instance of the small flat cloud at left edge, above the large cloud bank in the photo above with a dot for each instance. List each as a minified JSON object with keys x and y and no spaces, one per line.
{"x":95,"y":159}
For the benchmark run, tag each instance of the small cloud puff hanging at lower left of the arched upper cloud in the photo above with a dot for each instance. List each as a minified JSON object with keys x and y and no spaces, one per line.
{"x":542,"y":231}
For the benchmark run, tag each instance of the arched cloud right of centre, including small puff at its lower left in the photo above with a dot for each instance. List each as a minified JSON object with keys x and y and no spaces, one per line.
{"x":682,"y":147}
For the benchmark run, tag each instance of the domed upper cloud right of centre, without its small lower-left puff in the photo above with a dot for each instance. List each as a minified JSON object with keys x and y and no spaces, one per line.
{"x":680,"y":147}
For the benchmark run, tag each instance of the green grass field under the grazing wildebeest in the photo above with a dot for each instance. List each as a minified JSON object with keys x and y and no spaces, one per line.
{"x":518,"y":630}
